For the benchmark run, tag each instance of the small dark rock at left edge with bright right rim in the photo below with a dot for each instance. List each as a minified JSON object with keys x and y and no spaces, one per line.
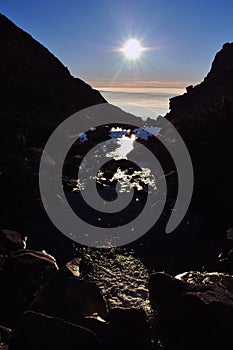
{"x":12,"y":240}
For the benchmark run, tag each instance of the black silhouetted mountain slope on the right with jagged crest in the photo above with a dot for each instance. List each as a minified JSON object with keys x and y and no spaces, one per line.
{"x":204,"y":118}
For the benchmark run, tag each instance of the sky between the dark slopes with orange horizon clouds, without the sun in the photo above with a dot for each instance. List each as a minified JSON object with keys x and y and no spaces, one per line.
{"x":181,"y":38}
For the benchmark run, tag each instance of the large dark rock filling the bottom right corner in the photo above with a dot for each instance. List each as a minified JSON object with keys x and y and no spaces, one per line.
{"x":191,"y":316}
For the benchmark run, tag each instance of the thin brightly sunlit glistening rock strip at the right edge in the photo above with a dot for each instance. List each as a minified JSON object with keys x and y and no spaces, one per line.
{"x":216,"y":278}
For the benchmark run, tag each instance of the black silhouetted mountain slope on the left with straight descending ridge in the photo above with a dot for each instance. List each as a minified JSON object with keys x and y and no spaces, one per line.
{"x":37,"y":92}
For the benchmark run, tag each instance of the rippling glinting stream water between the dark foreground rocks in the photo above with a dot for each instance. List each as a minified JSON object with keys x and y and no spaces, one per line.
{"x":121,"y":277}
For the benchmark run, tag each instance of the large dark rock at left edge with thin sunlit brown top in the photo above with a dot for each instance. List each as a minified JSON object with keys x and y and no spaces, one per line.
{"x":22,"y":274}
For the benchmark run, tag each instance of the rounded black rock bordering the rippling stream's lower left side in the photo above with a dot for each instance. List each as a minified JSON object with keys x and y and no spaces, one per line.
{"x":70,"y":298}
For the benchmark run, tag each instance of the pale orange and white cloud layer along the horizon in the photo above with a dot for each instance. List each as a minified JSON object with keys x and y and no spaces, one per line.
{"x":144,"y":98}
